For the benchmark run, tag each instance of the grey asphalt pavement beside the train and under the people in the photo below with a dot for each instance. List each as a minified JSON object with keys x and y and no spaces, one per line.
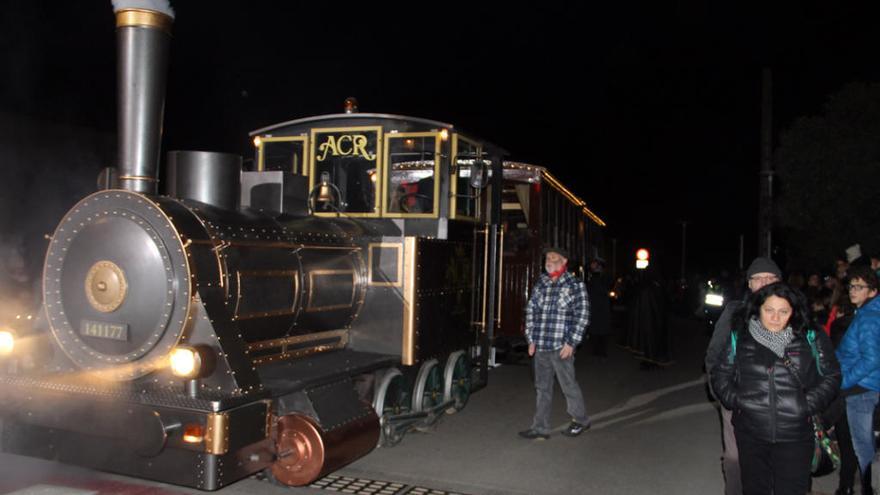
{"x":654,"y":432}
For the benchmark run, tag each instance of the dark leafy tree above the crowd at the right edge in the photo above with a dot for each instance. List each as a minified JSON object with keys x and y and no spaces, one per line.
{"x":829,"y":174}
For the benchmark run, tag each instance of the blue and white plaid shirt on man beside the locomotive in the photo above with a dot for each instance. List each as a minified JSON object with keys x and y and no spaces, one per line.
{"x":557,"y":313}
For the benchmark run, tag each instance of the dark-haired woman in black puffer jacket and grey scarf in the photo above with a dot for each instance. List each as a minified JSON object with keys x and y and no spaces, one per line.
{"x":771,"y":407}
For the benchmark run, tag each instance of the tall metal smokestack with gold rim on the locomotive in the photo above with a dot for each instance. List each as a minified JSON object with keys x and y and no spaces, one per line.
{"x":143,"y":35}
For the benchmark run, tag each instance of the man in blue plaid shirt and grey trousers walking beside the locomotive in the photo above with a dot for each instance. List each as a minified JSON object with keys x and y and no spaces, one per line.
{"x":556,"y":316}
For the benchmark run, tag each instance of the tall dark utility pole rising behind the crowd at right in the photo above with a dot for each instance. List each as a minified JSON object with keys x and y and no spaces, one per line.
{"x":765,"y":207}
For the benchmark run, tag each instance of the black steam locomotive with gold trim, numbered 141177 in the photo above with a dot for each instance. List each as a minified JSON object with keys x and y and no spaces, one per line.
{"x":286,"y":319}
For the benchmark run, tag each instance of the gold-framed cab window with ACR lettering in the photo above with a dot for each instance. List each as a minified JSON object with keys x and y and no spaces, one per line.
{"x":349,"y":159}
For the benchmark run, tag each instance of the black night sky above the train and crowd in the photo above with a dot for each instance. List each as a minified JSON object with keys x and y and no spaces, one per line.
{"x":650,"y":113}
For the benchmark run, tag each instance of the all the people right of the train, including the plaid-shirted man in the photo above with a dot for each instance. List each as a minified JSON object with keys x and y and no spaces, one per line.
{"x":788,"y":355}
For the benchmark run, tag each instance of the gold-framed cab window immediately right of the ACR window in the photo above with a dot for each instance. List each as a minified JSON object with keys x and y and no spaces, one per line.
{"x":411,"y":186}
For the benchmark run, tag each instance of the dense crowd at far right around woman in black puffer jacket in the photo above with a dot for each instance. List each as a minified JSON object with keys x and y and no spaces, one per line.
{"x":790,"y":351}
